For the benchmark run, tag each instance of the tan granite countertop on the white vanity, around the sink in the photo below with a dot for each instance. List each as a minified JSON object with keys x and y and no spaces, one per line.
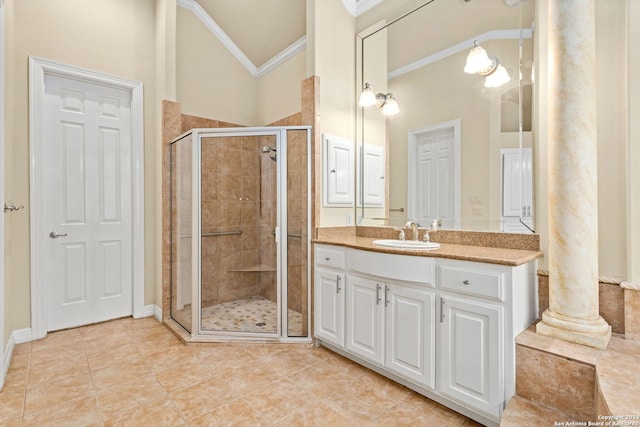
{"x":492,"y":255}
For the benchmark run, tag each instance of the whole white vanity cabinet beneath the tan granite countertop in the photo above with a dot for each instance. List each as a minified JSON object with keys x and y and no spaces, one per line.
{"x":443,"y":327}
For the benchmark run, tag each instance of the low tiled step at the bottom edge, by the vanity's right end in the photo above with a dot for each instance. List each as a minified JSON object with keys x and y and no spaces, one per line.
{"x":522,"y":412}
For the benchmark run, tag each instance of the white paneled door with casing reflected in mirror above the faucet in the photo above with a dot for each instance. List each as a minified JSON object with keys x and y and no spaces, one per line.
{"x":433,"y":174}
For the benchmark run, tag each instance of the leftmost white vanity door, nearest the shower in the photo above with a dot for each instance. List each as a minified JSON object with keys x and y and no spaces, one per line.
{"x":329,"y":306}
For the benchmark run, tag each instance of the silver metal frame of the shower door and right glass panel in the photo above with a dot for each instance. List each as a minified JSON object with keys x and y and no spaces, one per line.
{"x":281,"y":232}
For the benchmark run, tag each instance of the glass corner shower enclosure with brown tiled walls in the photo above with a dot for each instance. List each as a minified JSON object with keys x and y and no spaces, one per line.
{"x":240,"y":230}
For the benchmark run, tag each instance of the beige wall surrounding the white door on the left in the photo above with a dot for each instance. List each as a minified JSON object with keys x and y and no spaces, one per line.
{"x":110,"y":36}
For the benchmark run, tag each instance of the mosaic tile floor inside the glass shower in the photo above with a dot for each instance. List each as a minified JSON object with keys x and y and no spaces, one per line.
{"x":255,"y":314}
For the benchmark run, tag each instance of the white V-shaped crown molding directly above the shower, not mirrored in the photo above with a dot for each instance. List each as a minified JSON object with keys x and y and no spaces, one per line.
{"x":295,"y":48}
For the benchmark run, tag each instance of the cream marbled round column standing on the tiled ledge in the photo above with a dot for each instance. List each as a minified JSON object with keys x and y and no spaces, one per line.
{"x":573,"y":312}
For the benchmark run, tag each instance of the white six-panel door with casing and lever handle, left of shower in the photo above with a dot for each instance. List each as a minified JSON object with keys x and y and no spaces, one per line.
{"x":86,"y":182}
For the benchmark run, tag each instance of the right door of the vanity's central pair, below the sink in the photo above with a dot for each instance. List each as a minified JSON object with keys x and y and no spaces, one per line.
{"x":410,"y":333}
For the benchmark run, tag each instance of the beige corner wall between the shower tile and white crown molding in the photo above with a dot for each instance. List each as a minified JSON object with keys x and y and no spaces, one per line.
{"x":226,"y":90}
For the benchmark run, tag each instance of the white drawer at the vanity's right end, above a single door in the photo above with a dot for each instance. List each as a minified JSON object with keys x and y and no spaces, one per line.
{"x":470,"y":280}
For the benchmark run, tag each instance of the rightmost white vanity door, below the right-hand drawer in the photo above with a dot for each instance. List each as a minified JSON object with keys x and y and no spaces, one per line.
{"x":471,"y":365}
